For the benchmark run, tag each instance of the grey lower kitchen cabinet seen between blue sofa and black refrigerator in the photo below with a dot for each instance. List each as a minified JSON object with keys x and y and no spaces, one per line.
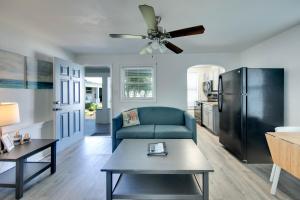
{"x":210,"y":116}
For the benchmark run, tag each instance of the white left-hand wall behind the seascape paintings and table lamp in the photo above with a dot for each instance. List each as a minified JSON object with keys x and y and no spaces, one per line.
{"x":35,"y":105}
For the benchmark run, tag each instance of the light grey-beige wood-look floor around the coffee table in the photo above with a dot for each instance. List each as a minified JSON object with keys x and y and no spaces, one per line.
{"x":78,"y":175}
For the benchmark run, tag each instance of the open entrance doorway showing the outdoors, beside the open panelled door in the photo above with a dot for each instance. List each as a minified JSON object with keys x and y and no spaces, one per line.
{"x":97,"y":101}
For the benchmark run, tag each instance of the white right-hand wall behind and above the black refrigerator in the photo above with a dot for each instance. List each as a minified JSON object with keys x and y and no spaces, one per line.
{"x":282,"y":50}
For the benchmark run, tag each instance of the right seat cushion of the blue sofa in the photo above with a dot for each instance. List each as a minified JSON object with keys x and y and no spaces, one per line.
{"x":172,"y":132}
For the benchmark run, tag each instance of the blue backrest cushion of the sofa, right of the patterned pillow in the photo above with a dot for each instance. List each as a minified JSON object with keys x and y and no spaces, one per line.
{"x":161,"y":116}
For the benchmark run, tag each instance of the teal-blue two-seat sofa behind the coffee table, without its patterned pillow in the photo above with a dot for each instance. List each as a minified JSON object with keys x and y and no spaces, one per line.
{"x":155,"y":122}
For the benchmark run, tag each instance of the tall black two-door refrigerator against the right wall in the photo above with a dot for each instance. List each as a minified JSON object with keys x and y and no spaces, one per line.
{"x":251,"y":103}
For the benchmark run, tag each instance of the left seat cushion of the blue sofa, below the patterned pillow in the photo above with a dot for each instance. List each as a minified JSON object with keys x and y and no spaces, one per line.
{"x":136,"y":132}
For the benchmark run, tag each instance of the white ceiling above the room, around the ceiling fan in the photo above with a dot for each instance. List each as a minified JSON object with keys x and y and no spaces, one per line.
{"x":82,"y":26}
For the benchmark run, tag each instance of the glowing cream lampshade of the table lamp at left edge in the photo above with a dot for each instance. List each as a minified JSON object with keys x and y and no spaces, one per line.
{"x":9,"y":114}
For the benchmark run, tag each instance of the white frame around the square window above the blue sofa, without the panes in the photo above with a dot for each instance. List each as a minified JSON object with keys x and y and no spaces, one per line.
{"x":137,"y":99}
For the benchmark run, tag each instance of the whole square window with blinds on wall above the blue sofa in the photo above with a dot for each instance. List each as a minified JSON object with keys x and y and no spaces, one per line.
{"x":137,"y":83}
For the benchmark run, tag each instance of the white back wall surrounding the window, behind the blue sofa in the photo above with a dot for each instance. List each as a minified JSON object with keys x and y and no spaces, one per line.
{"x":171,"y":71}
